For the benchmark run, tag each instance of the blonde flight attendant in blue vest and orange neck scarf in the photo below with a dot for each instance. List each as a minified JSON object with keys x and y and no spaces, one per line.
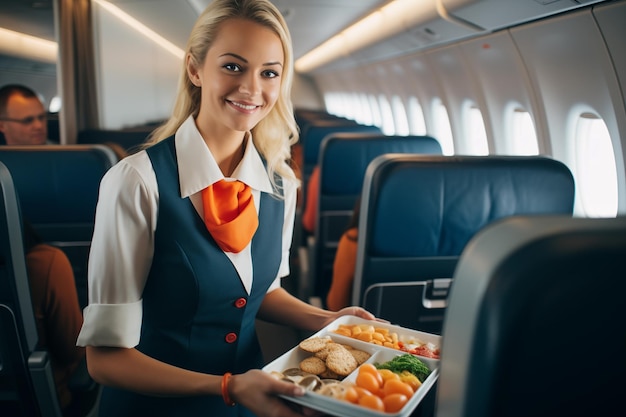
{"x":193,"y":233}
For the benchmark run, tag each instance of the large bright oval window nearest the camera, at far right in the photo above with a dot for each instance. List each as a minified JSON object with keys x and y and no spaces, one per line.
{"x":595,"y":162}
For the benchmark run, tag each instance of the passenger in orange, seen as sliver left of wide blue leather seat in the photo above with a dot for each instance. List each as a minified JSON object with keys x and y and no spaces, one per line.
{"x":340,"y":293}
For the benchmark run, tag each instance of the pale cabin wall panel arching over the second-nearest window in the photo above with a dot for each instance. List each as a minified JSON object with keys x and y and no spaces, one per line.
{"x":501,"y":77}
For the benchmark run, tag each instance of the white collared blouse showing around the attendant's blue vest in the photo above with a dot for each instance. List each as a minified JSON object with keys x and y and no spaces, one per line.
{"x":126,"y":219}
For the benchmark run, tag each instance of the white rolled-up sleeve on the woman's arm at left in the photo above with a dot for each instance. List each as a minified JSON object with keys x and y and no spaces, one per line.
{"x":121,"y":254}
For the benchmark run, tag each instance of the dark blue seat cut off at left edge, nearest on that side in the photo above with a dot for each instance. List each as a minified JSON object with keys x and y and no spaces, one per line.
{"x":27,"y":386}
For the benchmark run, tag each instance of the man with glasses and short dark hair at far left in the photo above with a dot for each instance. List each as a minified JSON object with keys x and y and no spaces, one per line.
{"x":22,"y":116}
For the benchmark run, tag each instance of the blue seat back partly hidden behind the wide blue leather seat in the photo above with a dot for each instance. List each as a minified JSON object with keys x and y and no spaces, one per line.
{"x":344,"y":158}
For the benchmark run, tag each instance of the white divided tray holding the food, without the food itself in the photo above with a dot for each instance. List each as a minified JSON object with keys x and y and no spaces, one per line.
{"x":337,"y":407}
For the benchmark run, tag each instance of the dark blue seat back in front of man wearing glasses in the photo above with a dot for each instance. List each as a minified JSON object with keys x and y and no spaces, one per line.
{"x":58,"y":190}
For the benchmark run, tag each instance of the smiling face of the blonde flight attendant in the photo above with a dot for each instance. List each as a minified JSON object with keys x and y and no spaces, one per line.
{"x":240,"y":77}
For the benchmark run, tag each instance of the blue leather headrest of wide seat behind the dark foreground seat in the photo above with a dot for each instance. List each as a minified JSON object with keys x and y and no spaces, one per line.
{"x":448,"y":199}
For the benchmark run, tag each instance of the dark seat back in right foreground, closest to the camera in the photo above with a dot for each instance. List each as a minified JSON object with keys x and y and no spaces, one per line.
{"x":535,"y":321}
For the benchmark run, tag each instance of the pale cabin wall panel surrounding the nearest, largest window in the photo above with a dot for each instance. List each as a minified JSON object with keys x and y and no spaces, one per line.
{"x":572,"y":73}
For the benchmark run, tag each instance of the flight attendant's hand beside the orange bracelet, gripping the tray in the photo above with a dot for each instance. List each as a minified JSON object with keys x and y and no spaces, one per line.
{"x":258,"y":391}
